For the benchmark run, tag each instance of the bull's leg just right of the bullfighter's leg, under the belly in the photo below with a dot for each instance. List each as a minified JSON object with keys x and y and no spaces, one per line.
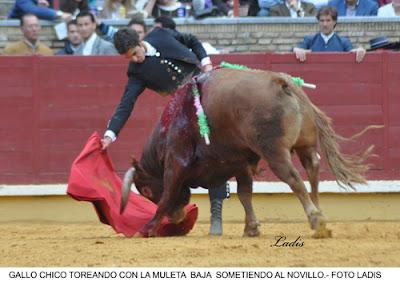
{"x":245,"y":190}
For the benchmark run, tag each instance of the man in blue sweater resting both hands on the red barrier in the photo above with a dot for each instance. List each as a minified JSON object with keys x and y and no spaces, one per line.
{"x":326,"y":40}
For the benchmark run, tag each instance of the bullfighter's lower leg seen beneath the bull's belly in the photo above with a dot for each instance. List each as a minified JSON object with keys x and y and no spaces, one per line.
{"x":217,"y":196}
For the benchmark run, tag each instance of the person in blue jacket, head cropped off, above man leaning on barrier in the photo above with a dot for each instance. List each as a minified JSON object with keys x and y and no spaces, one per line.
{"x":352,"y":8}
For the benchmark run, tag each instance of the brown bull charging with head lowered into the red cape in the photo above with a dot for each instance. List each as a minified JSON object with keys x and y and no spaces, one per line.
{"x":253,"y":115}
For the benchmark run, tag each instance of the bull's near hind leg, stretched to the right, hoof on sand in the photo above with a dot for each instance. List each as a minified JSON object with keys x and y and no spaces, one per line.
{"x":281,"y":164}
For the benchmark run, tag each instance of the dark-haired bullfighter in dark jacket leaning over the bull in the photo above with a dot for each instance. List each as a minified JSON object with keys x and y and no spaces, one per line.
{"x":163,"y":61}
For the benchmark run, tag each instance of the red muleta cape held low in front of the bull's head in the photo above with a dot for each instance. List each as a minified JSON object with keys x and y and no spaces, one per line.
{"x":94,"y":179}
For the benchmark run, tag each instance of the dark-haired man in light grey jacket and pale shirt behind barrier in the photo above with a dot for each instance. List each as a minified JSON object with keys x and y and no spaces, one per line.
{"x":92,"y":44}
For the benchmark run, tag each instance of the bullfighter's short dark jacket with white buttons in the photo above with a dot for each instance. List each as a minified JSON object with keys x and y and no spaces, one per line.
{"x":173,"y":63}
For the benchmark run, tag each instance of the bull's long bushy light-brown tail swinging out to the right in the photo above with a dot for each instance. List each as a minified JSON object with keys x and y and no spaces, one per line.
{"x":347,"y":169}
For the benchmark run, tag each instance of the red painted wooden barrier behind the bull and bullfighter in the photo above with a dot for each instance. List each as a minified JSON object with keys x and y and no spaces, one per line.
{"x":49,"y":106}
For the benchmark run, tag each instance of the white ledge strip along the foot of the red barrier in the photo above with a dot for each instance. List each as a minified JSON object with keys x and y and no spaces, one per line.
{"x":374,"y":186}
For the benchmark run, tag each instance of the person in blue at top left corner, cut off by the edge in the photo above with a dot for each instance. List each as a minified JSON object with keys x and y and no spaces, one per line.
{"x":40,"y":8}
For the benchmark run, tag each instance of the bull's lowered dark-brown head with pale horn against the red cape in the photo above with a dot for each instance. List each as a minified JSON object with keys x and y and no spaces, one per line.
{"x":148,"y":186}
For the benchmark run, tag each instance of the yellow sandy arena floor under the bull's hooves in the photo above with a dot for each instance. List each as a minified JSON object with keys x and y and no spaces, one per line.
{"x":94,"y":244}
